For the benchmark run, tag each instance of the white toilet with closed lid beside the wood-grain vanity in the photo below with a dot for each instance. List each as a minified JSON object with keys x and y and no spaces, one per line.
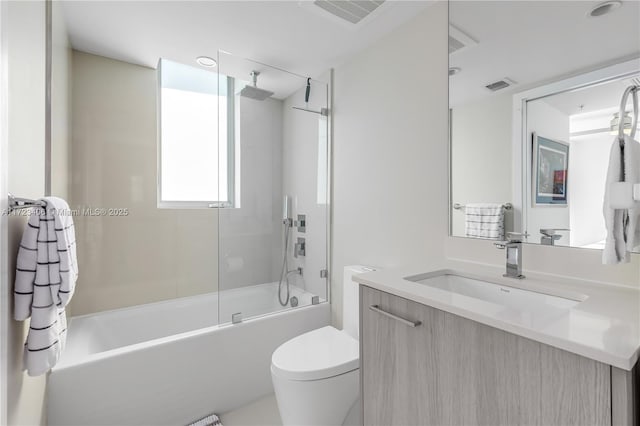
{"x":316,"y":376}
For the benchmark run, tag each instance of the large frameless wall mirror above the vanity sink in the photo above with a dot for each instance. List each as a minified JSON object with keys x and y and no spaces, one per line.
{"x":534,"y":96}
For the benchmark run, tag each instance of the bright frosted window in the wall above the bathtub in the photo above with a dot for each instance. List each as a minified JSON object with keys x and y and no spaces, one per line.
{"x":194,"y":141}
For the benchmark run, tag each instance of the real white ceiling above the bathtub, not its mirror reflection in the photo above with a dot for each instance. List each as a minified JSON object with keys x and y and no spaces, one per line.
{"x":293,"y":35}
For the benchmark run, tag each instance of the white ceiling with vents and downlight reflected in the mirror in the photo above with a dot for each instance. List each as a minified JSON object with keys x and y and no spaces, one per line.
{"x":536,"y":41}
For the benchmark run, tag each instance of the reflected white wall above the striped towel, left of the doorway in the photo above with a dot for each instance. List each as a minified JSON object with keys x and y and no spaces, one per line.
{"x":481,"y":151}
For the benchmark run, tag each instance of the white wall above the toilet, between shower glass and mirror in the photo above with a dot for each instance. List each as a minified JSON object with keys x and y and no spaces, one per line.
{"x":390,"y":150}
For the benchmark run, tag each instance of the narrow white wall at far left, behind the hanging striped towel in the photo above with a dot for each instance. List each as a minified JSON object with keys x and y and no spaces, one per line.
{"x":26,"y":104}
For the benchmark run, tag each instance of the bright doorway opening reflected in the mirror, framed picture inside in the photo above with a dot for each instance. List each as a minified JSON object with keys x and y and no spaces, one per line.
{"x":568,"y":157}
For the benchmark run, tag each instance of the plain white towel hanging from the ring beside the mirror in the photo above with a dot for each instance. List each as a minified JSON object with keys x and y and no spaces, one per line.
{"x":623,"y":230}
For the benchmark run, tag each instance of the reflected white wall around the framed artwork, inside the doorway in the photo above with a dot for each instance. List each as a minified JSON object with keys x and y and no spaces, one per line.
{"x":548,"y":122}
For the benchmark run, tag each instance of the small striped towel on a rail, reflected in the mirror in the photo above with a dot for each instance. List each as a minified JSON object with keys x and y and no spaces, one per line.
{"x":484,"y":220}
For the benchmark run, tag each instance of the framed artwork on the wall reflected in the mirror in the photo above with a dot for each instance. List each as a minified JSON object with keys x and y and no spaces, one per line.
{"x":550,"y":167}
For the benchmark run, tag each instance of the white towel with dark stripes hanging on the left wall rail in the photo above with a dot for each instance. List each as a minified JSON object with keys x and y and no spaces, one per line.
{"x":46,"y":274}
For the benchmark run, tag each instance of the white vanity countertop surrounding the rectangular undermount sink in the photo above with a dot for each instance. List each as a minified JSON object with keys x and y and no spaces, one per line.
{"x":604,"y":327}
